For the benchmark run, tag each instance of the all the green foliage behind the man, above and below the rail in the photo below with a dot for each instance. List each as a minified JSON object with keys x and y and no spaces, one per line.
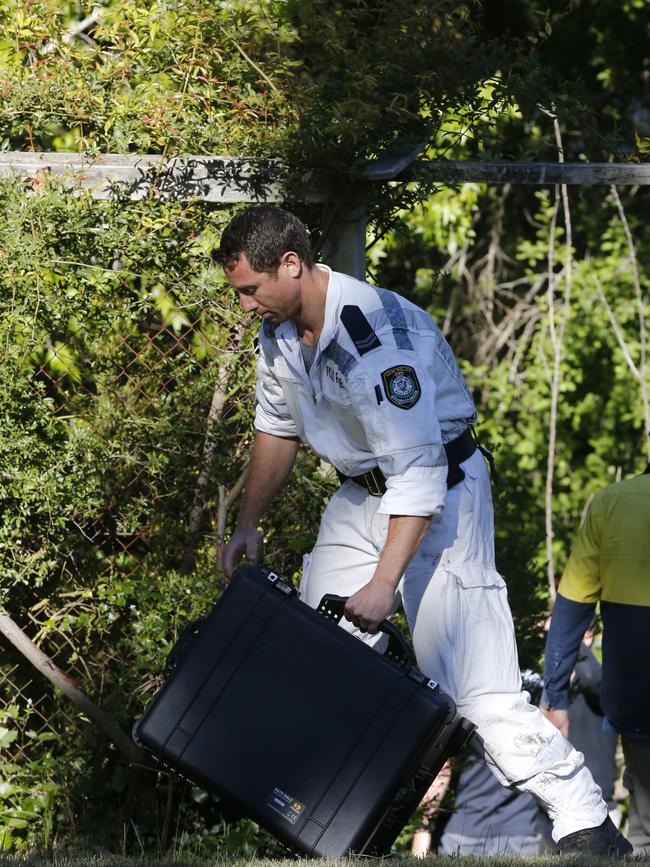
{"x":115,"y":328}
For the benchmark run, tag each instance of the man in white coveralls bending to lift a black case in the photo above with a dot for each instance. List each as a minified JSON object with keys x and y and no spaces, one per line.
{"x":368,"y":381}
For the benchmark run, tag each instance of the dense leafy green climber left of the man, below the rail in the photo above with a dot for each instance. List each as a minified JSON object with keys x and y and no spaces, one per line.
{"x":110,"y":368}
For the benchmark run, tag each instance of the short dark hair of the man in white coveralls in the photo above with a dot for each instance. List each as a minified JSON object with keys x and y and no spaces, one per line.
{"x":263,"y":233}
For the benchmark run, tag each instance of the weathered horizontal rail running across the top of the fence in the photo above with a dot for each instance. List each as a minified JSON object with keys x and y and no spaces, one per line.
{"x":239,"y":179}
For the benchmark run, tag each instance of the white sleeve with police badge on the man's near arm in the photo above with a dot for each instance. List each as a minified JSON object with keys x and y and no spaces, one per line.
{"x":405,"y":439}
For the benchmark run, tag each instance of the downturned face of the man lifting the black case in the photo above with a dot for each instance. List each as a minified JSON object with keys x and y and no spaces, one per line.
{"x":275,"y":297}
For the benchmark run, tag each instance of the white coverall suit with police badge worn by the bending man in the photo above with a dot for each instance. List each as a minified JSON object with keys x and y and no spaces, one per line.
{"x":390,"y":398}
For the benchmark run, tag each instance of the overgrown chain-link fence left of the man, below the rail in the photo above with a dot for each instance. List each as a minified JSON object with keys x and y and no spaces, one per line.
{"x":126,"y":419}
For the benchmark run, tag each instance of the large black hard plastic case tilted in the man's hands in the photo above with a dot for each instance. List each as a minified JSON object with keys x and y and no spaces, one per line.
{"x":325,"y":742}
